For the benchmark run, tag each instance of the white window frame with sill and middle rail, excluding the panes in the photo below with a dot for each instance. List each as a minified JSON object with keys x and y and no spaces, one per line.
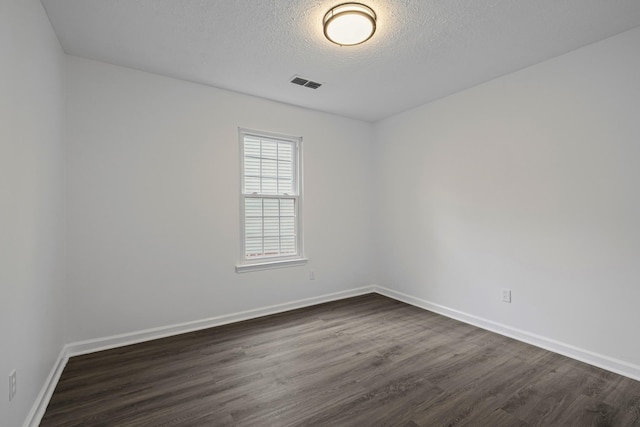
{"x":279,"y":261}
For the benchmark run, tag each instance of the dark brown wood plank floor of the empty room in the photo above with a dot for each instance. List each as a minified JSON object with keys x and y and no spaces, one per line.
{"x":364,"y":361}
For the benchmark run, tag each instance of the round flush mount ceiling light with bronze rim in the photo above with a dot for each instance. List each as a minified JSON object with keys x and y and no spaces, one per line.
{"x":349,"y":24}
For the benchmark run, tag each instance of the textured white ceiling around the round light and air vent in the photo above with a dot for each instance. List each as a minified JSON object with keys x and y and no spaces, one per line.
{"x":422,"y":49}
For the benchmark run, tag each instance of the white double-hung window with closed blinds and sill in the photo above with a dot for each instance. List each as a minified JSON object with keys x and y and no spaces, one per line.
{"x":270,"y":201}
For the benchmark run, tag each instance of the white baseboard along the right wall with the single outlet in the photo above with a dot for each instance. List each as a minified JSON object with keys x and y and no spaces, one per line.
{"x":601,"y":361}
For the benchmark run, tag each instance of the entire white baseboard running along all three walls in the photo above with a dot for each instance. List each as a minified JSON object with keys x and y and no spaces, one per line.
{"x":90,"y":346}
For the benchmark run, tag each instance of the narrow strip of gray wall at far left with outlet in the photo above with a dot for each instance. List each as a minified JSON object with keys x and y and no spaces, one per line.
{"x":31,"y":203}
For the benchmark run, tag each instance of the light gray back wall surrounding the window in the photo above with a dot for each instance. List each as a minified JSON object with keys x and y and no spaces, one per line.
{"x":153,"y":179}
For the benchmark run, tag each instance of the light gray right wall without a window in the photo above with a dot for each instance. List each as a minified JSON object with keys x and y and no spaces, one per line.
{"x":528,"y":182}
